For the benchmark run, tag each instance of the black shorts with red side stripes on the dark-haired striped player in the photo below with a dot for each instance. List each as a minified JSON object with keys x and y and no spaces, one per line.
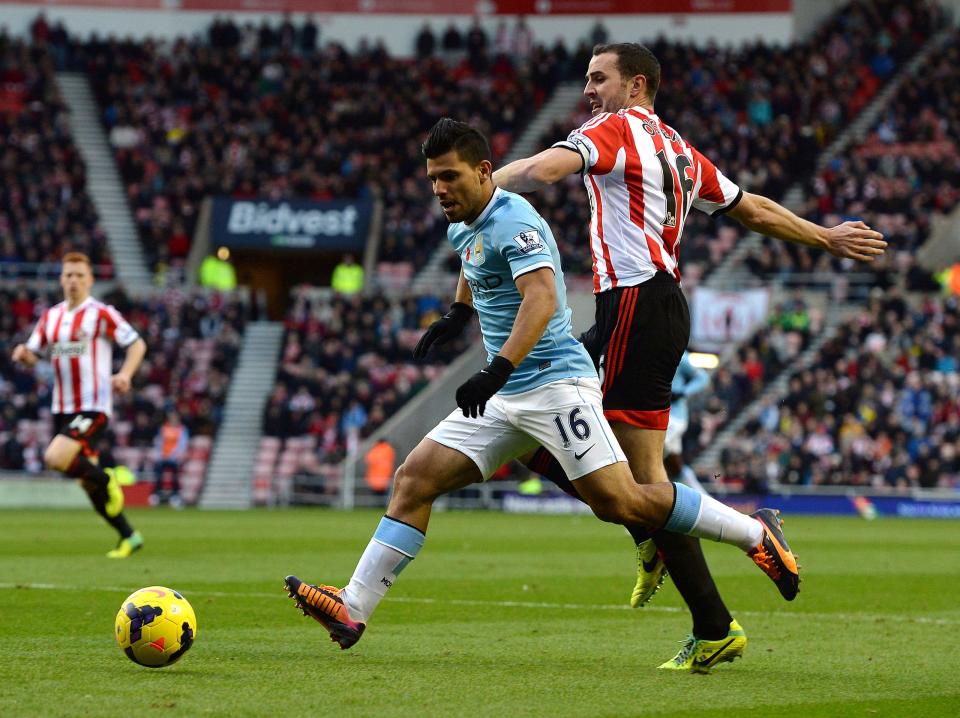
{"x":637,"y":343}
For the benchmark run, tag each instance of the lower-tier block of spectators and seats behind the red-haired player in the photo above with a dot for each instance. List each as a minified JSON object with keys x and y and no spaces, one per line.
{"x":193,"y":342}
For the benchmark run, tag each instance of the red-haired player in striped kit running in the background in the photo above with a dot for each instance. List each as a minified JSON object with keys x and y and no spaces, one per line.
{"x":79,"y":333}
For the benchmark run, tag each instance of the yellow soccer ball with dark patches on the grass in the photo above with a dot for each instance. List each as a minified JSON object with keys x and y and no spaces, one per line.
{"x":155,"y":626}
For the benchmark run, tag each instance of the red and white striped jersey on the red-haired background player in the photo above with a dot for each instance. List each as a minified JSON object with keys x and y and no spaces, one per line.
{"x":81,"y":350}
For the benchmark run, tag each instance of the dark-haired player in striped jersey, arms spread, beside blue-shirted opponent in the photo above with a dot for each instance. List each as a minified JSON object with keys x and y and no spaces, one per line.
{"x":642,"y":178}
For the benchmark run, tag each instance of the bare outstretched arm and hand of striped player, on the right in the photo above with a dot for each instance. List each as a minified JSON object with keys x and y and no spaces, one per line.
{"x":853,"y":240}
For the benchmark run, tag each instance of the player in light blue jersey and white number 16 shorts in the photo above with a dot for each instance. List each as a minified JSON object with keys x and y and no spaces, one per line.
{"x":539,"y":388}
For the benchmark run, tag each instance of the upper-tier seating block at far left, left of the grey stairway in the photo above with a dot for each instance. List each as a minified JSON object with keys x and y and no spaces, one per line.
{"x":45,"y":210}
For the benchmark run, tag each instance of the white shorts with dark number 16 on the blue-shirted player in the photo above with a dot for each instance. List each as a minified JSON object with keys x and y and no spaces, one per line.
{"x":565,"y":417}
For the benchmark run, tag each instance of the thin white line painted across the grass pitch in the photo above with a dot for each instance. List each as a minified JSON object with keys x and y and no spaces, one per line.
{"x":870,"y":617}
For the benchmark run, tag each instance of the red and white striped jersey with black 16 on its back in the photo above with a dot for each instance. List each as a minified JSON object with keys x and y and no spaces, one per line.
{"x":642,"y":178}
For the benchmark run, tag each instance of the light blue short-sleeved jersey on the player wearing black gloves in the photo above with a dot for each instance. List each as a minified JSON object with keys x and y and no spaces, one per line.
{"x":507,"y":240}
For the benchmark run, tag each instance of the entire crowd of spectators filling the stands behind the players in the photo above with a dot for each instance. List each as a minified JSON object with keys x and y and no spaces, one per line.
{"x":271,"y":111}
